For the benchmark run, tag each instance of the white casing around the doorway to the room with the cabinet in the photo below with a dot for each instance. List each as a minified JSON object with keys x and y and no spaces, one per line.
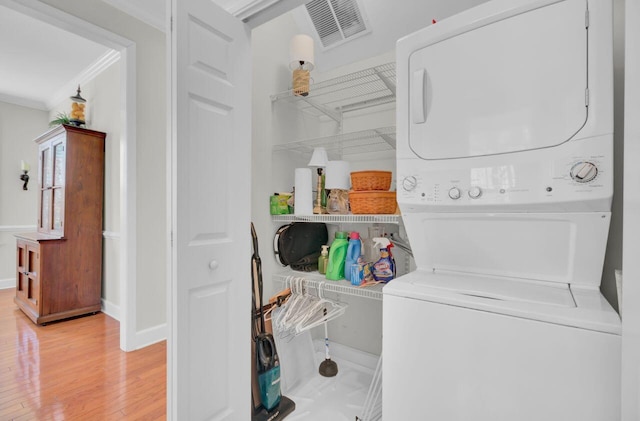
{"x":127,"y":50}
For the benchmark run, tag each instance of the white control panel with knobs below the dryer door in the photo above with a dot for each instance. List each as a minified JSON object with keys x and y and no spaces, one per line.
{"x":532,"y":184}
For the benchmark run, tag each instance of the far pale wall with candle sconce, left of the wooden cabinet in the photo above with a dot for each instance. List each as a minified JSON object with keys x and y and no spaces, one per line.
{"x":18,"y":208}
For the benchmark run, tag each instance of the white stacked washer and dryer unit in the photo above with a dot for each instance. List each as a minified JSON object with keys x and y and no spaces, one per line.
{"x":505,"y":182}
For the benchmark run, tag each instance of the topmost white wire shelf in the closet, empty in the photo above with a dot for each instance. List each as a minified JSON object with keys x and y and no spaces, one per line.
{"x":354,"y":91}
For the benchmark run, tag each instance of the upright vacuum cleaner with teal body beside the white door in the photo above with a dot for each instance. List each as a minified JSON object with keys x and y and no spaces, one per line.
{"x":273,"y":406}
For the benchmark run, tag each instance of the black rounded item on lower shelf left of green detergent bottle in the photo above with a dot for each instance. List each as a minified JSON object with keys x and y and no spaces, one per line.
{"x":298,"y":244}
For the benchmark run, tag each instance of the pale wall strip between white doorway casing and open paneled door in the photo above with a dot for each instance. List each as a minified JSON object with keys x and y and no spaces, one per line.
{"x":150,"y":118}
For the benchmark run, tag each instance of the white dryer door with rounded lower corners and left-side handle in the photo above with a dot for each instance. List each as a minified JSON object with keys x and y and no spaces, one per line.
{"x":504,"y":84}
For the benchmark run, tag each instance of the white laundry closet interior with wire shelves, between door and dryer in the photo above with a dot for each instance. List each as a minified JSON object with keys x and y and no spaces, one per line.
{"x":351,"y":112}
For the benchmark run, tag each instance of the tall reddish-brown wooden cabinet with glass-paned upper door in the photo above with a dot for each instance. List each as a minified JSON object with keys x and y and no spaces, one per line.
{"x":59,"y":267}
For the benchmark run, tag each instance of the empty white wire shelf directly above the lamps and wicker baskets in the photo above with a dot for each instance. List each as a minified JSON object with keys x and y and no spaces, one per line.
{"x":374,"y":140}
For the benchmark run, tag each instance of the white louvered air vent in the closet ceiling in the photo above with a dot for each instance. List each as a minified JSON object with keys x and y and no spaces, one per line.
{"x":336,"y":21}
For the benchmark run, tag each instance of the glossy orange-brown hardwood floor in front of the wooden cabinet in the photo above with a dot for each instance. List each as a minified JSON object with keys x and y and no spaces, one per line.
{"x":75,"y":370}
